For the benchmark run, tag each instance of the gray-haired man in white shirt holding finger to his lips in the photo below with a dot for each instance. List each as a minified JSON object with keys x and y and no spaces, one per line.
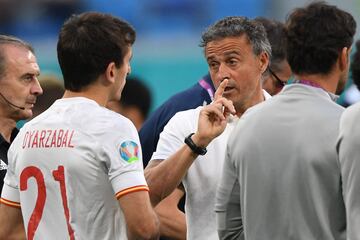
{"x":237,"y":52}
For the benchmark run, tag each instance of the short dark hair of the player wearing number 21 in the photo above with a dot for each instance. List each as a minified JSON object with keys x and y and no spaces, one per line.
{"x":88,"y":43}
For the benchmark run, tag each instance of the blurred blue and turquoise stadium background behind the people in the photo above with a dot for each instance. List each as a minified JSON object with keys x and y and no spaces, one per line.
{"x":166,"y":54}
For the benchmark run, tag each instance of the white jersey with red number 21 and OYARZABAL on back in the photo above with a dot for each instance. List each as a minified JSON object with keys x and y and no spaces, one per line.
{"x":69,"y":165}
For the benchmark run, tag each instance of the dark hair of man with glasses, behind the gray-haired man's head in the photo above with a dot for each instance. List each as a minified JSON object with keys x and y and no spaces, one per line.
{"x":276,"y":34}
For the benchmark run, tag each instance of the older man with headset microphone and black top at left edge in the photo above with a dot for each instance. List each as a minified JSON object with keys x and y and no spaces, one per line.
{"x":19,"y":88}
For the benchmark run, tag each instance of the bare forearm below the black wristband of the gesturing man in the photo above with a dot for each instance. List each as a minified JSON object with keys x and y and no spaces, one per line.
{"x":164,"y":176}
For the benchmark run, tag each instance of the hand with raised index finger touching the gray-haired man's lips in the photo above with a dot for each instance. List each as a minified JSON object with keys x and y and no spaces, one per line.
{"x":213,"y":118}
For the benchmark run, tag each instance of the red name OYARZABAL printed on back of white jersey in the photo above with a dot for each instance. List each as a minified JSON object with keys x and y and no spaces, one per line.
{"x":48,"y":138}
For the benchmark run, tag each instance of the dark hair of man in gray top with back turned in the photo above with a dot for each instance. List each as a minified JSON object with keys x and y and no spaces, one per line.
{"x":316,"y":35}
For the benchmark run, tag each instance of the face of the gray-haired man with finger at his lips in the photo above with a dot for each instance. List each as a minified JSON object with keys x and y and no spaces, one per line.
{"x":233,"y":58}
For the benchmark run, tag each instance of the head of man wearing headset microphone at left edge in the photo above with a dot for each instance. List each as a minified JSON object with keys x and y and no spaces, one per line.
{"x":19,"y":83}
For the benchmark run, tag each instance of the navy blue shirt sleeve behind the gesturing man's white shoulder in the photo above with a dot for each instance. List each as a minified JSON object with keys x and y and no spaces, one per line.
{"x":199,"y":94}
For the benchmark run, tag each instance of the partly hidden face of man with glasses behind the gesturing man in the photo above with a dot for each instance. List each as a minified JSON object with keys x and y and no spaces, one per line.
{"x":275,"y":81}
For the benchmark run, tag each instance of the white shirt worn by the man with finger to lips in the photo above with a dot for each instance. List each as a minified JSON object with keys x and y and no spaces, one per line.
{"x":202,"y":178}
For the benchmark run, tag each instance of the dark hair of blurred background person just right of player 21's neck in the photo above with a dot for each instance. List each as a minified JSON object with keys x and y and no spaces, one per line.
{"x":136,"y":93}
